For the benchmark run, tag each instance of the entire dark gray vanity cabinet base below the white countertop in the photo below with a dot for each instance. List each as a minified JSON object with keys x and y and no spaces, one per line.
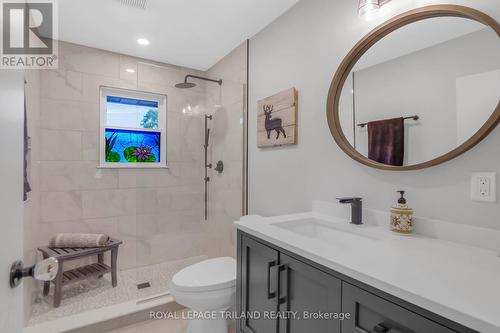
{"x":274,"y":280}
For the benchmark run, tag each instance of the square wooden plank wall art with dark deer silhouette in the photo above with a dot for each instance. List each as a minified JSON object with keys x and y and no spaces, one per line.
{"x":277,"y":119}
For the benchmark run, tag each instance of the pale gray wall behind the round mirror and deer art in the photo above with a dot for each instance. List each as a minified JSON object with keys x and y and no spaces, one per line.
{"x":303,"y":48}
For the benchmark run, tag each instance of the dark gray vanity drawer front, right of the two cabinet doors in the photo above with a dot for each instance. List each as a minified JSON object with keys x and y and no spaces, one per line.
{"x":370,"y":313}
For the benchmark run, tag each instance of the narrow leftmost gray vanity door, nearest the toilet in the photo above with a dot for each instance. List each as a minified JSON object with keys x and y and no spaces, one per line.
{"x":257,"y":285}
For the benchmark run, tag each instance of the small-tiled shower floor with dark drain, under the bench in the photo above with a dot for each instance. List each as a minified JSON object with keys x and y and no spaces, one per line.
{"x":98,"y":293}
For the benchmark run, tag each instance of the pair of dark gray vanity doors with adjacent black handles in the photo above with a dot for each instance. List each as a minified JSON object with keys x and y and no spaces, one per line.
{"x":281,"y":289}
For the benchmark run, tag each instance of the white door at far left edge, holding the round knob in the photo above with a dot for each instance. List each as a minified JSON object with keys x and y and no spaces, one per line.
{"x":11,"y":195}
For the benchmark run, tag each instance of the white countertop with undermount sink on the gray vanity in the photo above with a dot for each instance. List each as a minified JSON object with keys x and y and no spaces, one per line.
{"x":456,"y":281}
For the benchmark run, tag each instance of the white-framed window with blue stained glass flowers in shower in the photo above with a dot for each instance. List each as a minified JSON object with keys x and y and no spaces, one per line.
{"x":133,"y":129}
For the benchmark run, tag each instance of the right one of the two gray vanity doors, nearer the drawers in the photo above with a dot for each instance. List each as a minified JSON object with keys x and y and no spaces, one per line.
{"x":304,"y":290}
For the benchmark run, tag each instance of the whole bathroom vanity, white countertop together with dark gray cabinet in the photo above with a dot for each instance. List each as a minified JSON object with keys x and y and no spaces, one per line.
{"x":312,"y":268}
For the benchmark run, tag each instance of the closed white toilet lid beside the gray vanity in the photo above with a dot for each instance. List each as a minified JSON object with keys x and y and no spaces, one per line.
{"x":213,"y":274}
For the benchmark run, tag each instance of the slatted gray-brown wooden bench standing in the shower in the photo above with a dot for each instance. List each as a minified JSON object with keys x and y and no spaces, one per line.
{"x":81,"y":273}
